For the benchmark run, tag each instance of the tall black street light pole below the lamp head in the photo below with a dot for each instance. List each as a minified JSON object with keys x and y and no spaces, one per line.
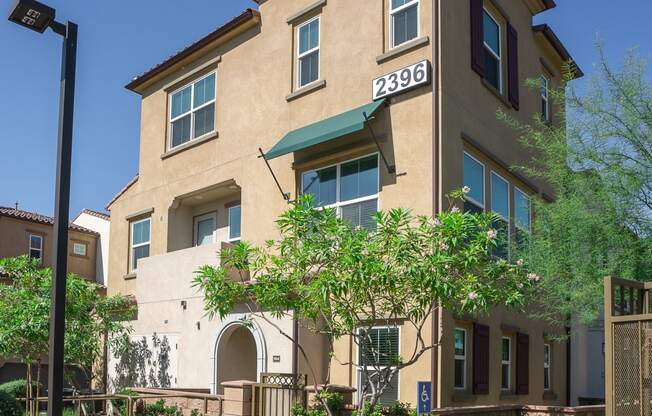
{"x":61,"y":216}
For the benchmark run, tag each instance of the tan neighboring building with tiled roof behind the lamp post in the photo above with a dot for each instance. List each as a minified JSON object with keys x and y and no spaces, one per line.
{"x":31,"y":234}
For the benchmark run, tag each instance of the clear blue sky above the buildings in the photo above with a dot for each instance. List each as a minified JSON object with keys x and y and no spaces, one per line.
{"x":122,"y":38}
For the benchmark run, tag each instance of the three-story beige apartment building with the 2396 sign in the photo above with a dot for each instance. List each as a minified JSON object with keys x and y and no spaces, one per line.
{"x":367,"y":105}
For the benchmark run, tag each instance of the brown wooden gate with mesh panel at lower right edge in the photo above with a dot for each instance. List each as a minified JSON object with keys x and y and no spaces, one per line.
{"x":628,"y":348}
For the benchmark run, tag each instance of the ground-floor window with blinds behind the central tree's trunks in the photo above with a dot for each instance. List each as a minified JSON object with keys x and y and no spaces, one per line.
{"x":383,"y":350}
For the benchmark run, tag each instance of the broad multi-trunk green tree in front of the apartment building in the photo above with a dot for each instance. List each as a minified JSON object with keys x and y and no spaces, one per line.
{"x":340,"y":281}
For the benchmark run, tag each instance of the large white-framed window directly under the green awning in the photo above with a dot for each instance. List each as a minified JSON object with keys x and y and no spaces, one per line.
{"x":350,"y":187}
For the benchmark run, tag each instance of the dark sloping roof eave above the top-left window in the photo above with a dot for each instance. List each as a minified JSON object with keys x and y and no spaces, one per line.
{"x":138,"y":83}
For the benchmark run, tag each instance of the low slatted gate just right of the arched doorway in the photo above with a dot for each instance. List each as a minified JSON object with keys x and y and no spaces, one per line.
{"x":277,"y":393}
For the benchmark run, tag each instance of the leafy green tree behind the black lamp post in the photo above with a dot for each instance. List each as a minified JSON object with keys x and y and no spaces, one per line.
{"x":25,"y":298}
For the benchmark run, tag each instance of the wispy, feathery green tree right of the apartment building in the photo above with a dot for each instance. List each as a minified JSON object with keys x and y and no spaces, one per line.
{"x":597,"y":157}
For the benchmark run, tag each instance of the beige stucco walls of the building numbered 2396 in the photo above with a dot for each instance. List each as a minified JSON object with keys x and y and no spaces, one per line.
{"x":254,"y":76}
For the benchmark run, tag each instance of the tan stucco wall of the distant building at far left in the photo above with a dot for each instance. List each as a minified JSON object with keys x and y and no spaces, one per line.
{"x":14,"y":241}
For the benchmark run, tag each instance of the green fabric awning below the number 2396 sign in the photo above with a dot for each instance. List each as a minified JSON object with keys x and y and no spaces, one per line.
{"x":322,"y":131}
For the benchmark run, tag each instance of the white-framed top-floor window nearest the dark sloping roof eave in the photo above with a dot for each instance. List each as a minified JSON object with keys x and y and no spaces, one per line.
{"x":192,"y":111}
